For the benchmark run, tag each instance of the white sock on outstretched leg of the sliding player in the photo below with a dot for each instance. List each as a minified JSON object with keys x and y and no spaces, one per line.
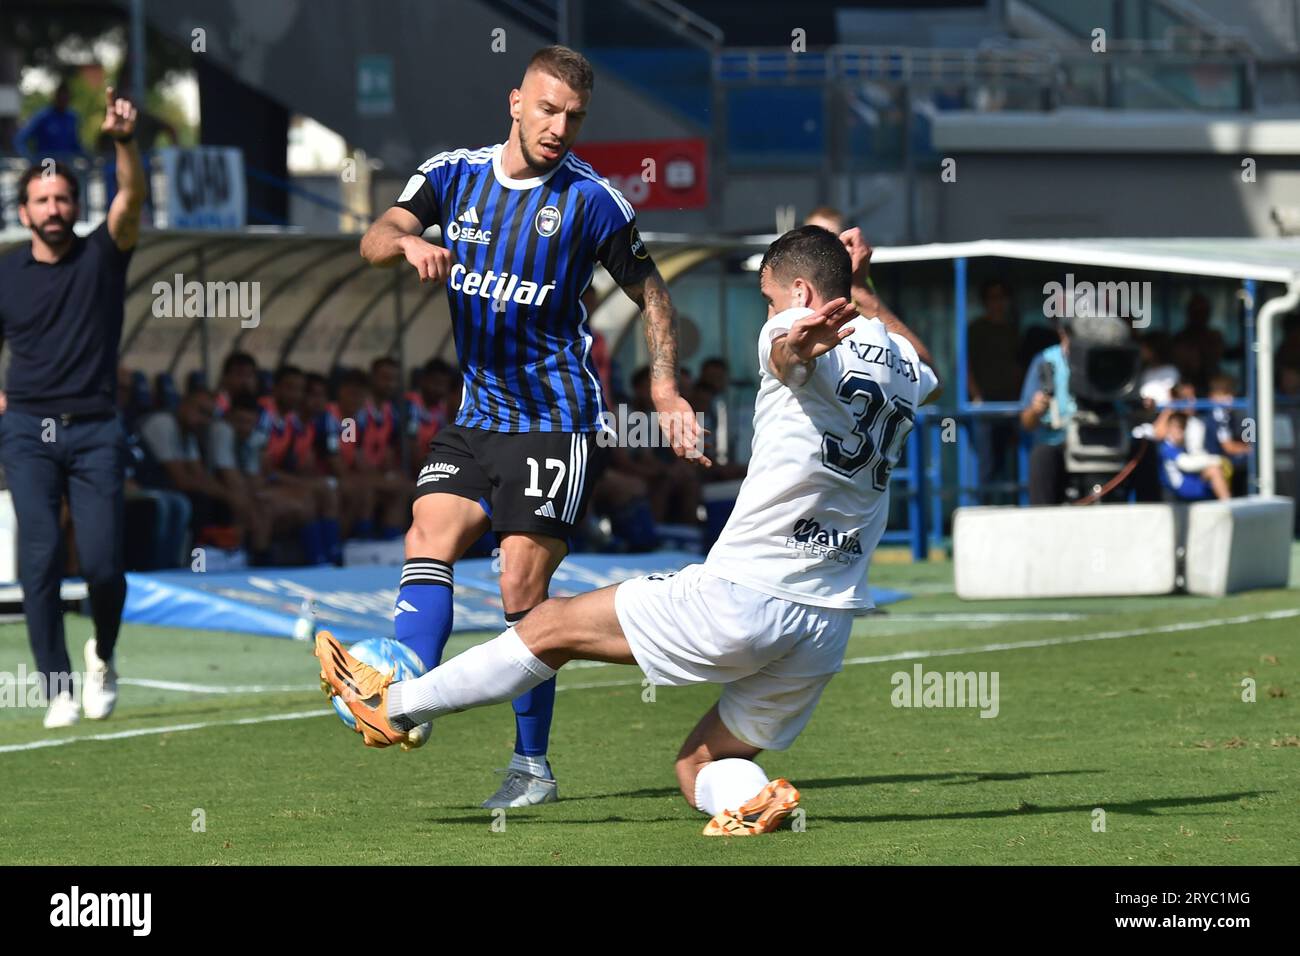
{"x":492,"y":673}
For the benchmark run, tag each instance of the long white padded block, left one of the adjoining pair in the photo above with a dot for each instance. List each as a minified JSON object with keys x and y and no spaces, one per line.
{"x":1064,"y":552}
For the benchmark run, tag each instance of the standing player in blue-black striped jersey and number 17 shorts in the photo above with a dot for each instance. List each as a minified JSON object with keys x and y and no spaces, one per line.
{"x":525,"y":224}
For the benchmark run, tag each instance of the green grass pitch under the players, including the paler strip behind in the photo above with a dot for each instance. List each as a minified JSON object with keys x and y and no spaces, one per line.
{"x":1141,"y":715}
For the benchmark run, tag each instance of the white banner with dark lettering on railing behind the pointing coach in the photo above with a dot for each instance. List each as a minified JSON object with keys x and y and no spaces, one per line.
{"x":205,"y":188}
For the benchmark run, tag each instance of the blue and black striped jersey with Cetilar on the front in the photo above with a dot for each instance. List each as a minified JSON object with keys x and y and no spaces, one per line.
{"x":525,"y":252}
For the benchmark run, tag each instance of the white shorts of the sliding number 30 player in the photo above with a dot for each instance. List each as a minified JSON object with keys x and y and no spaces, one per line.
{"x":774,"y":657}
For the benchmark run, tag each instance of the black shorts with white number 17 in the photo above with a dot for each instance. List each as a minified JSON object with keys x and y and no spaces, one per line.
{"x":538,"y":483}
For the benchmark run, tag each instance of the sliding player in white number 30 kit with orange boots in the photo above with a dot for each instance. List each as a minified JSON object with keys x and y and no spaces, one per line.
{"x":769,"y":612}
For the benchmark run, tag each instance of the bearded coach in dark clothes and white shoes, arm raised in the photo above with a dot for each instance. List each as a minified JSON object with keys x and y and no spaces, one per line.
{"x":62,"y":318}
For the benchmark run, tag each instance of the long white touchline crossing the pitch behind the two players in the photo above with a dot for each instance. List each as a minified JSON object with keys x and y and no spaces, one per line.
{"x":853,"y":661}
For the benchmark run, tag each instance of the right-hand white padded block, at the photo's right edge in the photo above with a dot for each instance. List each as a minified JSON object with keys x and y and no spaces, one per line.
{"x":1240,"y":544}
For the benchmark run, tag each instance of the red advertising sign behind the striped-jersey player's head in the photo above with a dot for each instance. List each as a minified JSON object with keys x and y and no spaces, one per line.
{"x":655,"y":174}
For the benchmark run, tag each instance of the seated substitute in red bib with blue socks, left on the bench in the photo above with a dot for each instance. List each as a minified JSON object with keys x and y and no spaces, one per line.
{"x":288,"y":464}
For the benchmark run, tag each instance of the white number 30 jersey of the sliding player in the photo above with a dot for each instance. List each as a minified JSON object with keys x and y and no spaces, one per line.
{"x":814,"y":505}
